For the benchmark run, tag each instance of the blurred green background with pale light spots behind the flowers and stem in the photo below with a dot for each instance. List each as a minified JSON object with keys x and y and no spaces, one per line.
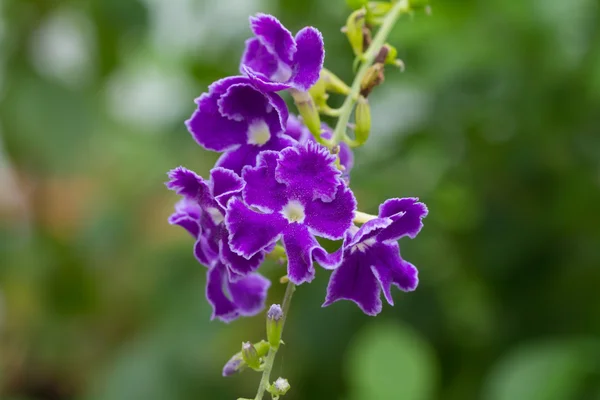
{"x":495,"y":125}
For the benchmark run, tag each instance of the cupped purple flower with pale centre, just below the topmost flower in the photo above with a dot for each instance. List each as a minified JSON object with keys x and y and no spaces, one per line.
{"x":238,"y":119}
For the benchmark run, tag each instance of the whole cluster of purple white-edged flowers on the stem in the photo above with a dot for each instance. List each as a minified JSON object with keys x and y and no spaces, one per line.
{"x":274,"y":187}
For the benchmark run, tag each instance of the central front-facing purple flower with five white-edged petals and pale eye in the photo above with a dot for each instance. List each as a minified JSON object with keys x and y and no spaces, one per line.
{"x":295,"y":195}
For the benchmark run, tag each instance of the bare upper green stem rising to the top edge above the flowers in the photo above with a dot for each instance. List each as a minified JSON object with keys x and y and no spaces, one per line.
{"x":368,"y":57}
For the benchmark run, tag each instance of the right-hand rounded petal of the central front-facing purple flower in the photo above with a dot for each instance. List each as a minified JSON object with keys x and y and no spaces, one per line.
{"x":331,"y":219}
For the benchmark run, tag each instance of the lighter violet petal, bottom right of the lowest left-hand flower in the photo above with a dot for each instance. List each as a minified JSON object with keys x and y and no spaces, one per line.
{"x":249,"y":294}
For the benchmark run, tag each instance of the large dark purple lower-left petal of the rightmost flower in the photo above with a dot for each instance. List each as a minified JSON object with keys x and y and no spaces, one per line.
{"x":354,"y":281}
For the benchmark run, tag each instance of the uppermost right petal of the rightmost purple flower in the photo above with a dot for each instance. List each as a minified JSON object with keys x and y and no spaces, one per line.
{"x":407,"y":215}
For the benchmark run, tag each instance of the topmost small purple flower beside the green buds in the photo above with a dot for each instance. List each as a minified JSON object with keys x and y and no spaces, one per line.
{"x":275,"y":60}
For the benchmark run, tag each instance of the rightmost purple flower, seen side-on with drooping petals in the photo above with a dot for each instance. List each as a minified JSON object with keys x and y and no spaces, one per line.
{"x":369,"y":260}
